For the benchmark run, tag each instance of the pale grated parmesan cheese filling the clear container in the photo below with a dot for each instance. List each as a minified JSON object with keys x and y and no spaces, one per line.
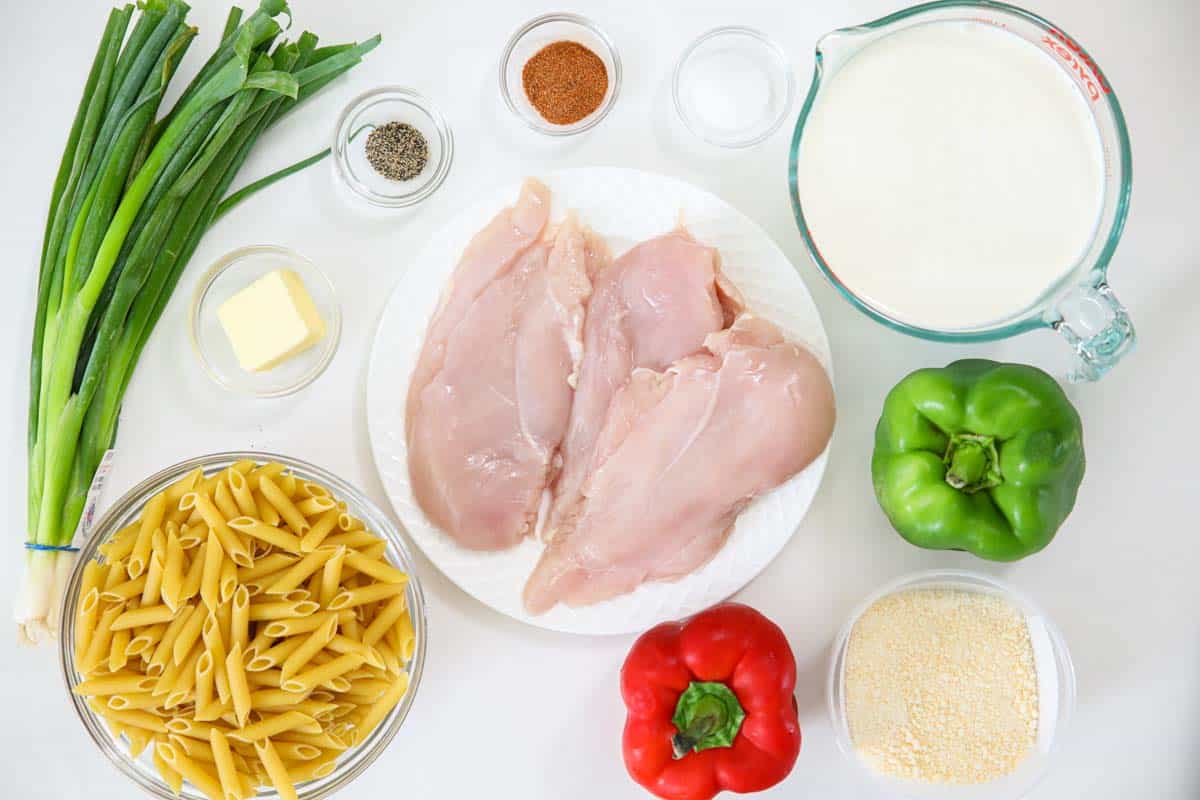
{"x":941,"y":687}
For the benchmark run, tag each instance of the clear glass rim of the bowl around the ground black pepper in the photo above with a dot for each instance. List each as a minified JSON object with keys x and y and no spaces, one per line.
{"x":343,"y":137}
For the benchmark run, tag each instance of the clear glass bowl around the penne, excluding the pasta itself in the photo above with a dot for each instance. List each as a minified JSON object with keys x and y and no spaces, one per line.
{"x":355,"y":761}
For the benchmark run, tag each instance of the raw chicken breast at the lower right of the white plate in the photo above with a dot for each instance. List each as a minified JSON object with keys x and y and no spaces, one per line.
{"x":681,"y":455}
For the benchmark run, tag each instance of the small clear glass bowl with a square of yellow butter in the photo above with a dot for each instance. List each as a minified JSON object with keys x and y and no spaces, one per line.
{"x":265,"y":322}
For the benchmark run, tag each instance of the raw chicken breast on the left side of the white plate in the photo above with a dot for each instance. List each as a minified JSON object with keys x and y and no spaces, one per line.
{"x":489,"y":424}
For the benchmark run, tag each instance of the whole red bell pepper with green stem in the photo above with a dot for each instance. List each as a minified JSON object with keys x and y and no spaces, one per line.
{"x":711,"y":706}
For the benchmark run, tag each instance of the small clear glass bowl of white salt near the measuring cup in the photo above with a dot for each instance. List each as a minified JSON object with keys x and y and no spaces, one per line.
{"x":754,"y":73}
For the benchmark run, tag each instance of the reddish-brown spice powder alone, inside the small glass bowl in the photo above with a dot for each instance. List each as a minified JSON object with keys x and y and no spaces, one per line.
{"x":566,"y":82}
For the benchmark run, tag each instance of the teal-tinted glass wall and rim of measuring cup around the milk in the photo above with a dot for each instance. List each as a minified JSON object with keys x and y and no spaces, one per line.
{"x":1033,"y":317}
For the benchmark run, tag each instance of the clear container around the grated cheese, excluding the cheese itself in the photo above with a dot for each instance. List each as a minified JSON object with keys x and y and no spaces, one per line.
{"x":1054,"y":667}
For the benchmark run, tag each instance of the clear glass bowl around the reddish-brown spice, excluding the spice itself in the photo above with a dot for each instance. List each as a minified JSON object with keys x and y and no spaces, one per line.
{"x":537,"y":34}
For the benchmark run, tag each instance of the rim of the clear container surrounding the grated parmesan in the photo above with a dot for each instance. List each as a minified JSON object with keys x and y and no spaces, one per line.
{"x":968,"y":580}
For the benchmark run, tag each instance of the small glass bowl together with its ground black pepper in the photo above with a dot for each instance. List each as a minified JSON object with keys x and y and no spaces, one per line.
{"x":393,"y":148}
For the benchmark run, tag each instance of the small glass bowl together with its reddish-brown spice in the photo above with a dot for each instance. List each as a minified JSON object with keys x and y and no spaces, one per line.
{"x":560,"y":74}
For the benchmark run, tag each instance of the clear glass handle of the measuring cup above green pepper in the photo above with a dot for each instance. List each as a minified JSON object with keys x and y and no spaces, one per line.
{"x":1096,"y":324}
